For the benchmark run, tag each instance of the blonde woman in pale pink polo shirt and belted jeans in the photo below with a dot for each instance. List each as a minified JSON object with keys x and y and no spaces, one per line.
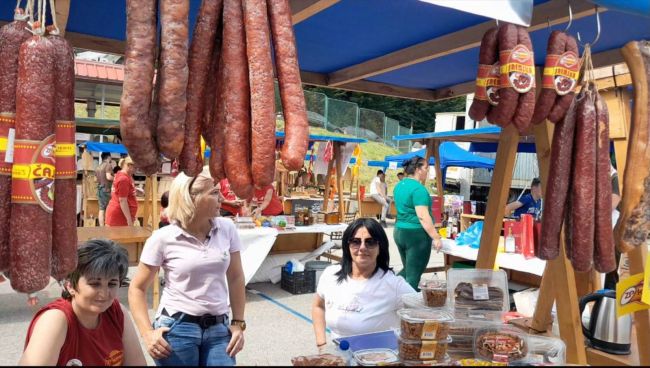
{"x":200,"y":254}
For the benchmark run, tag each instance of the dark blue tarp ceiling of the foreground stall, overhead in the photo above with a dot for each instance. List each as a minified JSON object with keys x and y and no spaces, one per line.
{"x":354,"y":31}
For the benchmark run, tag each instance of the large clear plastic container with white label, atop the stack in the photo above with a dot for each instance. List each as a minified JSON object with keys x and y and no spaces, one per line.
{"x":477,"y":290}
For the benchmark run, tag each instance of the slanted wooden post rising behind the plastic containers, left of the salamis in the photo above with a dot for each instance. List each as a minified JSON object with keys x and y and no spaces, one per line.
{"x":501,"y":179}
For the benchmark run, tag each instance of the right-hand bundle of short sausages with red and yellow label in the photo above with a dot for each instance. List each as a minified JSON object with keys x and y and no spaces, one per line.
{"x":561,"y":71}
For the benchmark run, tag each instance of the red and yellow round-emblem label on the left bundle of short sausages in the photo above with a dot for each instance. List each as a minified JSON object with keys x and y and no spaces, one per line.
{"x":517,"y":69}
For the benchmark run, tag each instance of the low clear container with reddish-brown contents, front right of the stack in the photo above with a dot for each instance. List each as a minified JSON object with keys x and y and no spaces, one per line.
{"x":500,"y":344}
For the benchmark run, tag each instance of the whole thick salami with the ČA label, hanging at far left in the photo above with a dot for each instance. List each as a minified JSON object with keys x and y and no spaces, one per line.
{"x":31,"y":224}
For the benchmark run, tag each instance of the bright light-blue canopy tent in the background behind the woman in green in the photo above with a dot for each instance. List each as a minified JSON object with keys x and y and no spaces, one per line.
{"x":450,"y":155}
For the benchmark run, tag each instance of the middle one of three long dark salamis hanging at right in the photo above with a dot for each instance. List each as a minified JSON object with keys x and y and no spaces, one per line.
{"x":583,"y":188}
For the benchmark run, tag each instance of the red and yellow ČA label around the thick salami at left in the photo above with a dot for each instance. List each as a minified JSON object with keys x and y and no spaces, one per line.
{"x":32,"y":174}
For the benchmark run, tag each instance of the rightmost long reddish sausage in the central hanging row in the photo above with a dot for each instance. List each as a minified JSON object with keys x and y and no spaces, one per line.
{"x":296,"y":126}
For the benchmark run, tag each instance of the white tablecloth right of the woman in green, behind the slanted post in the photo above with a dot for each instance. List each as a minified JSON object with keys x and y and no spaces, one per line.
{"x":511,"y":261}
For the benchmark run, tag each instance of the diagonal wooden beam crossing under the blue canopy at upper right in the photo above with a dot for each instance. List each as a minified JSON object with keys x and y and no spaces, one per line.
{"x":555,"y":12}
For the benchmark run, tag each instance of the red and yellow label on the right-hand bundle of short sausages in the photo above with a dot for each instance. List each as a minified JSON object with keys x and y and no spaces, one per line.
{"x":561,"y":72}
